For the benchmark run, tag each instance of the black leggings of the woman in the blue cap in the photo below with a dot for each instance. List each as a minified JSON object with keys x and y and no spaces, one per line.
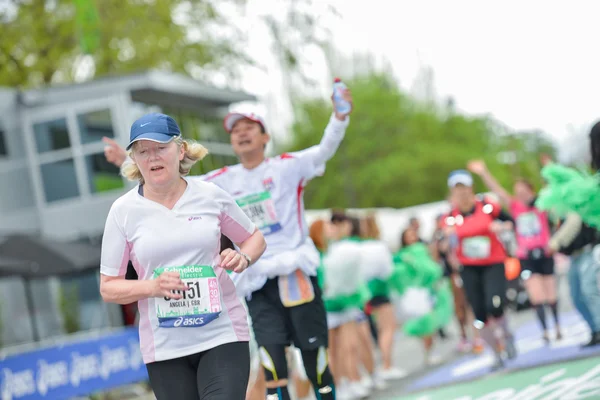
{"x":220,"y":373}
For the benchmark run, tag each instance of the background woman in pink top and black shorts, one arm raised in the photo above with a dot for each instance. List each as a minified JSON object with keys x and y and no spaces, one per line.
{"x":533,"y":234}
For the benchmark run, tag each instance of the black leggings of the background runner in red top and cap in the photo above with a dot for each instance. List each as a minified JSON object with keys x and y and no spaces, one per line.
{"x":485,"y":287}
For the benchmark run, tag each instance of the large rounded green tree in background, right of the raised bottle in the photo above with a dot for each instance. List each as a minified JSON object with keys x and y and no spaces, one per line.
{"x":398,"y":152}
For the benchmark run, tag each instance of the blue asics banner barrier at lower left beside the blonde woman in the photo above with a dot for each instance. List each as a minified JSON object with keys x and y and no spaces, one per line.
{"x":73,"y":369}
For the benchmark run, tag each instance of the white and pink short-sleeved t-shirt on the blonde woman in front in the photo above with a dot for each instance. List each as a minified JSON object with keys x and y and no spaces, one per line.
{"x":153,"y":238}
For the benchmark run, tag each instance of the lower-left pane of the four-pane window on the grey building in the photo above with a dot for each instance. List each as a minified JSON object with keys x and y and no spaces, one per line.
{"x":59,"y":180}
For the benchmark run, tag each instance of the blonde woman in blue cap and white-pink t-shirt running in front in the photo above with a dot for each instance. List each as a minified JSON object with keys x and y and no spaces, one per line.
{"x":193,"y":328}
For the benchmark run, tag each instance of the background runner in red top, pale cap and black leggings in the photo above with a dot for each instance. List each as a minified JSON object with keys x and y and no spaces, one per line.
{"x":476,"y":224}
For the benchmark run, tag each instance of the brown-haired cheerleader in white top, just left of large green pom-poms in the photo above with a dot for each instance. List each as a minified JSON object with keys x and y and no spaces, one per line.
{"x":380,"y":306}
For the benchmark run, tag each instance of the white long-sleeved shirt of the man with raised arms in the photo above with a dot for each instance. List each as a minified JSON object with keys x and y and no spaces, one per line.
{"x":272,"y":195}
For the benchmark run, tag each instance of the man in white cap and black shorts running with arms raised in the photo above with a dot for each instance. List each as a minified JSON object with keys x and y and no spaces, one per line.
{"x":284,"y":298}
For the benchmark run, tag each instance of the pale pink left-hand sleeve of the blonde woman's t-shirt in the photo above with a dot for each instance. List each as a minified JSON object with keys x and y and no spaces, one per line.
{"x":115,"y":248}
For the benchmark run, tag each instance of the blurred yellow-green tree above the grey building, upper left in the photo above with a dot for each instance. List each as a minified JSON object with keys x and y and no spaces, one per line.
{"x":47,"y":41}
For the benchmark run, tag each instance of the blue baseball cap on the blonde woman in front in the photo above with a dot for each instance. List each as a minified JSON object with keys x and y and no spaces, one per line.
{"x":155,"y":127}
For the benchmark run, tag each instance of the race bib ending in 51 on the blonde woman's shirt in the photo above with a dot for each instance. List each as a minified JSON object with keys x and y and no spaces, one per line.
{"x":198,"y":306}
